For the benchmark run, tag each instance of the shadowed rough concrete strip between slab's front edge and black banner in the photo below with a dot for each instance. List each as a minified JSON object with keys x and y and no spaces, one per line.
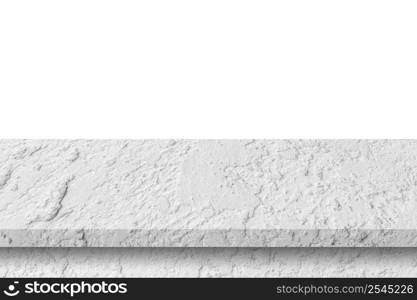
{"x":209,"y":262}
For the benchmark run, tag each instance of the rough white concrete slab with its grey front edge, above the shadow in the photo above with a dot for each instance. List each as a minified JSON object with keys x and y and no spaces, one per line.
{"x":224,"y":193}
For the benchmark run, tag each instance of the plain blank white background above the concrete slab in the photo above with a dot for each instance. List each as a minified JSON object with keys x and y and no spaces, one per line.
{"x":208,"y":69}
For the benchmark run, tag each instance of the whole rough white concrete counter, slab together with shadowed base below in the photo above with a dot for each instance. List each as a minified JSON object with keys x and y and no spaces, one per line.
{"x":135,"y":194}
